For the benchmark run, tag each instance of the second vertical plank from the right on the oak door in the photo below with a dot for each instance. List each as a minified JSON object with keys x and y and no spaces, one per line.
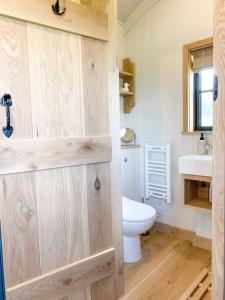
{"x":70,"y":79}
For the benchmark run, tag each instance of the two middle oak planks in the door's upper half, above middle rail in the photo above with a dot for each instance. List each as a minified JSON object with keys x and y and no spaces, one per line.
{"x":56,"y":87}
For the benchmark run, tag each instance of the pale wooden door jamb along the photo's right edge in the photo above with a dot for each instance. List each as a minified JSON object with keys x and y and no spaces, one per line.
{"x":218,"y":154}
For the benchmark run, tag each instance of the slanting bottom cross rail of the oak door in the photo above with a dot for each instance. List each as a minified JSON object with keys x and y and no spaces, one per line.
{"x":59,"y":282}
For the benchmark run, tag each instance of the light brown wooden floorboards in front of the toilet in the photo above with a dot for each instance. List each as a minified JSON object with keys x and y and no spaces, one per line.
{"x":168,"y":267}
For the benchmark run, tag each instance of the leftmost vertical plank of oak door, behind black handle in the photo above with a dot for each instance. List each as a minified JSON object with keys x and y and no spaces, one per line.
{"x":18,"y":205}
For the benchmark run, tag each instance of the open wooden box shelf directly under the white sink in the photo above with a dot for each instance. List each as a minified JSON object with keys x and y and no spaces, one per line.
{"x":197,"y":192}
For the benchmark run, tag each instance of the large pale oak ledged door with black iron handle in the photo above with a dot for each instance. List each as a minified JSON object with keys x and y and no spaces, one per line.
{"x":55,"y":185}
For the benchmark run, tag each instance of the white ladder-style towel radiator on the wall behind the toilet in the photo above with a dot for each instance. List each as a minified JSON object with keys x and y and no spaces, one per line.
{"x":158,"y":172}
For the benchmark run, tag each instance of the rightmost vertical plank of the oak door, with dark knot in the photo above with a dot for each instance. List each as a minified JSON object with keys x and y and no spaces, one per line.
{"x":96,"y":108}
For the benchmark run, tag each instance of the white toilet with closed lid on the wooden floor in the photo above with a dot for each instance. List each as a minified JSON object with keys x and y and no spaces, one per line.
{"x":137,"y":219}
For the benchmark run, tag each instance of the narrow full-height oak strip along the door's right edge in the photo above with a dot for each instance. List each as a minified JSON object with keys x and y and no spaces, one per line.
{"x":114,"y":121}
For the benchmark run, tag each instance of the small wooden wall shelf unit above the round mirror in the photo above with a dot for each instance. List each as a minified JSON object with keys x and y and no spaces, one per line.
{"x":128,"y":75}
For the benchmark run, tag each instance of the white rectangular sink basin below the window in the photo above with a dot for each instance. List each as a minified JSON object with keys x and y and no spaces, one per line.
{"x":200,"y":165}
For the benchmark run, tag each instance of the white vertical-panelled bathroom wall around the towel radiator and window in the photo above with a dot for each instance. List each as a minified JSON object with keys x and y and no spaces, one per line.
{"x":155,"y":43}
